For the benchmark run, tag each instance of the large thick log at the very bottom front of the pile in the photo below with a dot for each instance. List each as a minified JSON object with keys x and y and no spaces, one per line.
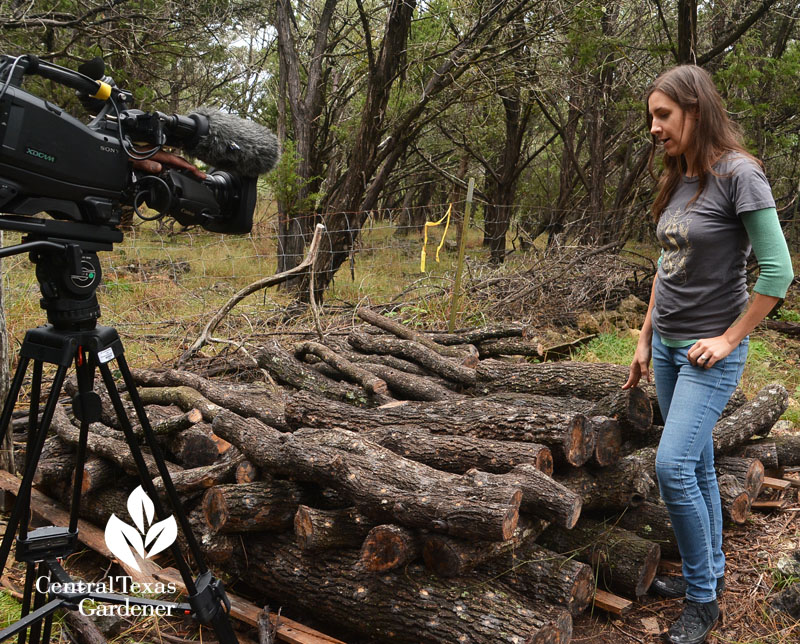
{"x":407,"y":606}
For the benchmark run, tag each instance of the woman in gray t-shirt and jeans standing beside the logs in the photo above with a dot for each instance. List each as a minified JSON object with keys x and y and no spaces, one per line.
{"x":713,"y":203}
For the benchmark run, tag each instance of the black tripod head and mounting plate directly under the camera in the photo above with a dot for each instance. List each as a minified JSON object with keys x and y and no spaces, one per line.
{"x":67,"y":266}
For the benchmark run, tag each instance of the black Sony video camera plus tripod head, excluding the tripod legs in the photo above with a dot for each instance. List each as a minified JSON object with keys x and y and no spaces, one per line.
{"x":86,"y":174}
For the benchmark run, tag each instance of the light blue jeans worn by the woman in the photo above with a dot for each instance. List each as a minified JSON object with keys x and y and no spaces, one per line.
{"x":685,"y":458}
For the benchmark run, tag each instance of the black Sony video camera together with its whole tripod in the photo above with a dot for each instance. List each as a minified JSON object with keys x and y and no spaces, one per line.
{"x":84,"y":176}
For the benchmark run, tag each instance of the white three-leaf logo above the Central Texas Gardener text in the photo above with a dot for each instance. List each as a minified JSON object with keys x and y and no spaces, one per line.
{"x":126,"y":541}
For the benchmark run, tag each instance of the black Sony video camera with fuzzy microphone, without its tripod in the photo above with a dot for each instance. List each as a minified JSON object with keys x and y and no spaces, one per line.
{"x":51,"y":162}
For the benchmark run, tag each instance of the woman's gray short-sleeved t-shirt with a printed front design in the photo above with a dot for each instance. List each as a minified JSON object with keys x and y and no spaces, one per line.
{"x":701,"y":287}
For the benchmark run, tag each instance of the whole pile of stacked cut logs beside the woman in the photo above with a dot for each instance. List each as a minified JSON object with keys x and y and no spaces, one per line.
{"x":413,"y":486}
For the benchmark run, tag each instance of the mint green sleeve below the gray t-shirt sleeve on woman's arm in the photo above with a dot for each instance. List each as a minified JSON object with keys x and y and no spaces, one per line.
{"x":769,"y":245}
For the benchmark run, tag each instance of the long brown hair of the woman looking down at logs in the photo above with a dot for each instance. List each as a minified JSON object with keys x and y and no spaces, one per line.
{"x":693,"y":89}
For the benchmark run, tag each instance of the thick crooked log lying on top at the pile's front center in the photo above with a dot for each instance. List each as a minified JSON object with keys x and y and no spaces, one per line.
{"x":381,"y":484}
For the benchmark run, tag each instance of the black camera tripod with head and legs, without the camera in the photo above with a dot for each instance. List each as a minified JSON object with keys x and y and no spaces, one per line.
{"x":68,"y":272}
